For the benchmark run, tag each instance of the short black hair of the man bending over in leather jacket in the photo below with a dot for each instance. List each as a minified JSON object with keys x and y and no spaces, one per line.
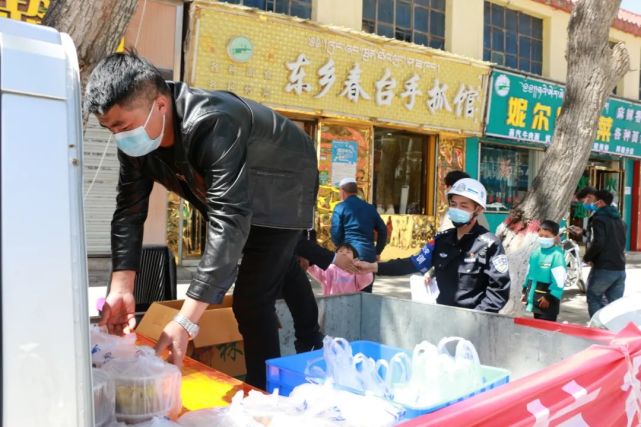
{"x":122,"y":78}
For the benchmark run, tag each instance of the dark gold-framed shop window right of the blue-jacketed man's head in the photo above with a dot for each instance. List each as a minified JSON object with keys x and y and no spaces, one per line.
{"x":399,"y":172}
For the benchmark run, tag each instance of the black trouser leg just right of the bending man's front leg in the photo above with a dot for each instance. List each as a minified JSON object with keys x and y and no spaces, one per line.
{"x":299,"y":296}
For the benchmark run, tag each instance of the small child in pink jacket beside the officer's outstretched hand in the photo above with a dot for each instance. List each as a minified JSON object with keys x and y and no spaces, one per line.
{"x":336,"y":281}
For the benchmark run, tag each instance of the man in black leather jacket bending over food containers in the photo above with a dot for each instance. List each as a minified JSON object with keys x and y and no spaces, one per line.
{"x":250,"y":170}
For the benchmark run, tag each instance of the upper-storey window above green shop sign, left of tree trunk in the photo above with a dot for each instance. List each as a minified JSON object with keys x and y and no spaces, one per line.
{"x":513,"y":39}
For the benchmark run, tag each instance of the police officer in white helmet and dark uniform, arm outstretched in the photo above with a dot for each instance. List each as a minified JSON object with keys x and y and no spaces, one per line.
{"x":469,"y":262}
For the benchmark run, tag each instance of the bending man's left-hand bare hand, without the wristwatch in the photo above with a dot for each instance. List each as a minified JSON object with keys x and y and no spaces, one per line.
{"x":118,"y":312}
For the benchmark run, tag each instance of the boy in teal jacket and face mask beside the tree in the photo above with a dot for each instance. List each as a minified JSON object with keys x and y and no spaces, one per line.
{"x":545,"y":278}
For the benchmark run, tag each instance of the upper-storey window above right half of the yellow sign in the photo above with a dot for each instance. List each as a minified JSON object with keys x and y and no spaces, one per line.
{"x":415,"y":21}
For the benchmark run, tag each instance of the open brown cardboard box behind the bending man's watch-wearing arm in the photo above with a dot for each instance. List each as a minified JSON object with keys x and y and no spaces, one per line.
{"x":218,"y":344}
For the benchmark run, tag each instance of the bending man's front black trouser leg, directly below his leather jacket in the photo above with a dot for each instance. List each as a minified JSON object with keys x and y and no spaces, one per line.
{"x":267,"y":256}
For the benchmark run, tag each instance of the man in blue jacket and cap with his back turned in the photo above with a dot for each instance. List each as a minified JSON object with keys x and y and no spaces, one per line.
{"x":355,"y":221}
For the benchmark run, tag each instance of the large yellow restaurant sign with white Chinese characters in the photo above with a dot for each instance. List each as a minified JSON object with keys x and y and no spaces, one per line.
{"x":298,"y":65}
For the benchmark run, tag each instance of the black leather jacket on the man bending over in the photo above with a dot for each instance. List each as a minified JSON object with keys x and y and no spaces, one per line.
{"x":238,"y":162}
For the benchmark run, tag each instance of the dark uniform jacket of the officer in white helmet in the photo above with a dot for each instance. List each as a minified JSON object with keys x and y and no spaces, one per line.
{"x":471,"y":272}
